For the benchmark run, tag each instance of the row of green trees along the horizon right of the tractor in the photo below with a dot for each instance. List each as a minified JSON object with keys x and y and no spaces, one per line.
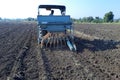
{"x":108,"y":18}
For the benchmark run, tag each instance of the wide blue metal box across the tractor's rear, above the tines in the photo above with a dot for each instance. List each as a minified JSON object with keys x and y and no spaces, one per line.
{"x":54,"y":23}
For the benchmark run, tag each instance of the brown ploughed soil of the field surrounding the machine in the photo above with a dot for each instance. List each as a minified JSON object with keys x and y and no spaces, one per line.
{"x":97,"y":58}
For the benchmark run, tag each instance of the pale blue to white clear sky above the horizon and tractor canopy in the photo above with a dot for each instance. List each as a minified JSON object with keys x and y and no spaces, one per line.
{"x":75,"y":8}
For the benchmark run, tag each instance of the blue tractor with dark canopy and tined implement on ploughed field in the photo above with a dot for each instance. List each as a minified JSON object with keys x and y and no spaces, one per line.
{"x":55,"y":30}
